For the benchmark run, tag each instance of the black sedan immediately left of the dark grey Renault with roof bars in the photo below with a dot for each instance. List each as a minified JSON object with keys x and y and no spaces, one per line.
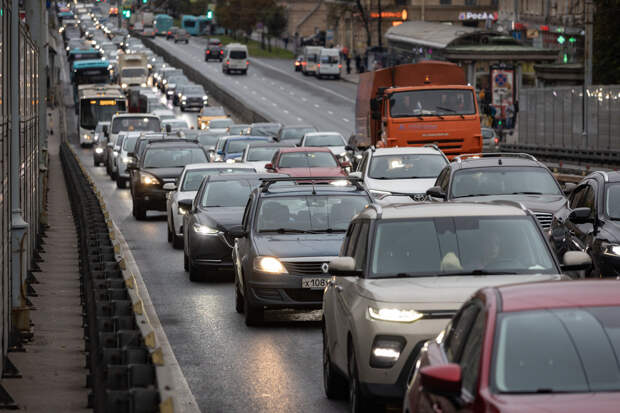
{"x":216,"y":210}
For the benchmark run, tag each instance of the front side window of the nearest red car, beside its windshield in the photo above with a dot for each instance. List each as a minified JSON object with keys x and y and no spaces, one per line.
{"x":470,"y":359}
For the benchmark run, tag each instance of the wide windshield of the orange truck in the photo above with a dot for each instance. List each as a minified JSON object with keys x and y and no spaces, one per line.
{"x":442,"y":102}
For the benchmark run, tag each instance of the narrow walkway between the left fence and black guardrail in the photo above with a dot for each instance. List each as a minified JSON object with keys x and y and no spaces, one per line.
{"x":53,"y":364}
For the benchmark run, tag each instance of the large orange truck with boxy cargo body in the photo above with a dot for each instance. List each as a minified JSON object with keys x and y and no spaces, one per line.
{"x":419,"y":104}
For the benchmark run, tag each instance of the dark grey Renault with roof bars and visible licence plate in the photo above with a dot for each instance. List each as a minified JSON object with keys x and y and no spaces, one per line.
{"x":289,"y":233}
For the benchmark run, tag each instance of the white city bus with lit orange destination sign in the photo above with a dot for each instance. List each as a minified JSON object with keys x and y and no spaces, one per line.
{"x":97,"y":103}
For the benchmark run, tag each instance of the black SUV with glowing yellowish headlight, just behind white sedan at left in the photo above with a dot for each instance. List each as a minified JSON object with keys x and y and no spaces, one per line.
{"x":161,"y":163}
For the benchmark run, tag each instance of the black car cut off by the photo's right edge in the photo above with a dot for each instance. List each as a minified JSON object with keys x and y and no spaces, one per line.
{"x":593,"y":223}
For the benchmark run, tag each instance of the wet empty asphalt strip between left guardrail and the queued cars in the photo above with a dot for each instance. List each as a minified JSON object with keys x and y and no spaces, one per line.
{"x":228,"y":366}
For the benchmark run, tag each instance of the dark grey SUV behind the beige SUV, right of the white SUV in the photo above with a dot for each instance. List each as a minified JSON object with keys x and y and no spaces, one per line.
{"x":501,"y":176}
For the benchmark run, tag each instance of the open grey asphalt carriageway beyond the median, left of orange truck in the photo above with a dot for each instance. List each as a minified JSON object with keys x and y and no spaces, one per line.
{"x":273,"y":87}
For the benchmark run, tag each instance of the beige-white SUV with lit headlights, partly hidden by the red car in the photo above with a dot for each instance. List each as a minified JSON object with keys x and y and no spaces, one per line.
{"x":404,"y":270}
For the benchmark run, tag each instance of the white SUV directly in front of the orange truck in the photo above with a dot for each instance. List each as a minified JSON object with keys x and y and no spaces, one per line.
{"x":400,"y":174}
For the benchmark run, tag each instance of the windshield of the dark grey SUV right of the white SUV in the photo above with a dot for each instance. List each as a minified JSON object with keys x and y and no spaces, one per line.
{"x":503,"y":181}
